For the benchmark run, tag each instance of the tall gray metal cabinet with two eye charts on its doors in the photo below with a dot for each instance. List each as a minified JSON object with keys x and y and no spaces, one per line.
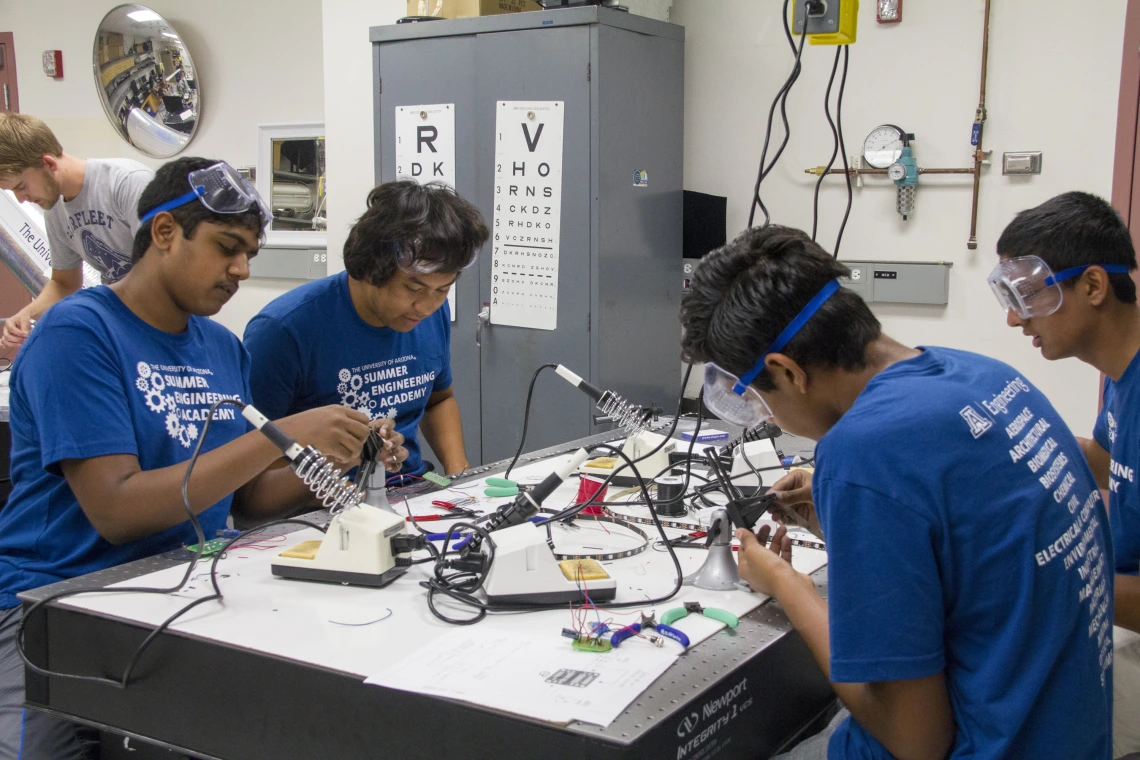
{"x":621,"y":78}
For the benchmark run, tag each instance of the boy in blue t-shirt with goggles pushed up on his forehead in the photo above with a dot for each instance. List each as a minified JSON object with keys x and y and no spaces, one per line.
{"x":109,"y":398}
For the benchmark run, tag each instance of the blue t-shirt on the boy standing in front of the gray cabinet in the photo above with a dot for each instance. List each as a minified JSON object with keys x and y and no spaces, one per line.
{"x":311,"y":349}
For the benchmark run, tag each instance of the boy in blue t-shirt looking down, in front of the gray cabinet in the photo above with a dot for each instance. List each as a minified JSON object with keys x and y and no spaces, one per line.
{"x":377,"y":338}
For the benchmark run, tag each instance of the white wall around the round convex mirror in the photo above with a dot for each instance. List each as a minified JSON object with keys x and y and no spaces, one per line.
{"x":258,"y":63}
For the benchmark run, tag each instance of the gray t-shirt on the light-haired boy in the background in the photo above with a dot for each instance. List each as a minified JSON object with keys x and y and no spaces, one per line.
{"x":99,"y":225}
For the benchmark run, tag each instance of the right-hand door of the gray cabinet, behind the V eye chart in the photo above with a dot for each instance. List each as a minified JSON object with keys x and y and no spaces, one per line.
{"x":541,"y":66}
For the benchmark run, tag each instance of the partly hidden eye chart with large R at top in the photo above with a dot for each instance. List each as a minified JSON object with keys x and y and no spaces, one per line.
{"x":426,"y":150}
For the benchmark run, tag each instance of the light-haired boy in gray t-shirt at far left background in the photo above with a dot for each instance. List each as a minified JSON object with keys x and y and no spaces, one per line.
{"x":93,"y":211}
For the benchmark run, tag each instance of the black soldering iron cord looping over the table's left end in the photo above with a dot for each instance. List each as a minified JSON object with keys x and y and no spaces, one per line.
{"x":123,"y":683}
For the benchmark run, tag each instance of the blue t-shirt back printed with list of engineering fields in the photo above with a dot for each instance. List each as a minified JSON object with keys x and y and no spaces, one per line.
{"x":966,"y":535}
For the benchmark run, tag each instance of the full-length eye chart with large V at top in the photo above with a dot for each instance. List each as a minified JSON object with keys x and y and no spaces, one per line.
{"x":528,"y":214}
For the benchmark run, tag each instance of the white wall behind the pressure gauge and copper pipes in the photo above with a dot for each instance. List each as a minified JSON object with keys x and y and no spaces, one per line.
{"x":1053,"y":87}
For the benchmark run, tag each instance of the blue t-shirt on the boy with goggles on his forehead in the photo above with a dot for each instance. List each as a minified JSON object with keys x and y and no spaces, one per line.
{"x":92,"y":381}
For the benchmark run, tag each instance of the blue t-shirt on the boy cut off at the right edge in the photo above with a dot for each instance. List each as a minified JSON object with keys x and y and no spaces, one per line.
{"x":1117,"y":432}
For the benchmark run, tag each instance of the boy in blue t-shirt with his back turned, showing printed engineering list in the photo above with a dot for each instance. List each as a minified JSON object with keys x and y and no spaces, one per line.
{"x":970,"y":606}
